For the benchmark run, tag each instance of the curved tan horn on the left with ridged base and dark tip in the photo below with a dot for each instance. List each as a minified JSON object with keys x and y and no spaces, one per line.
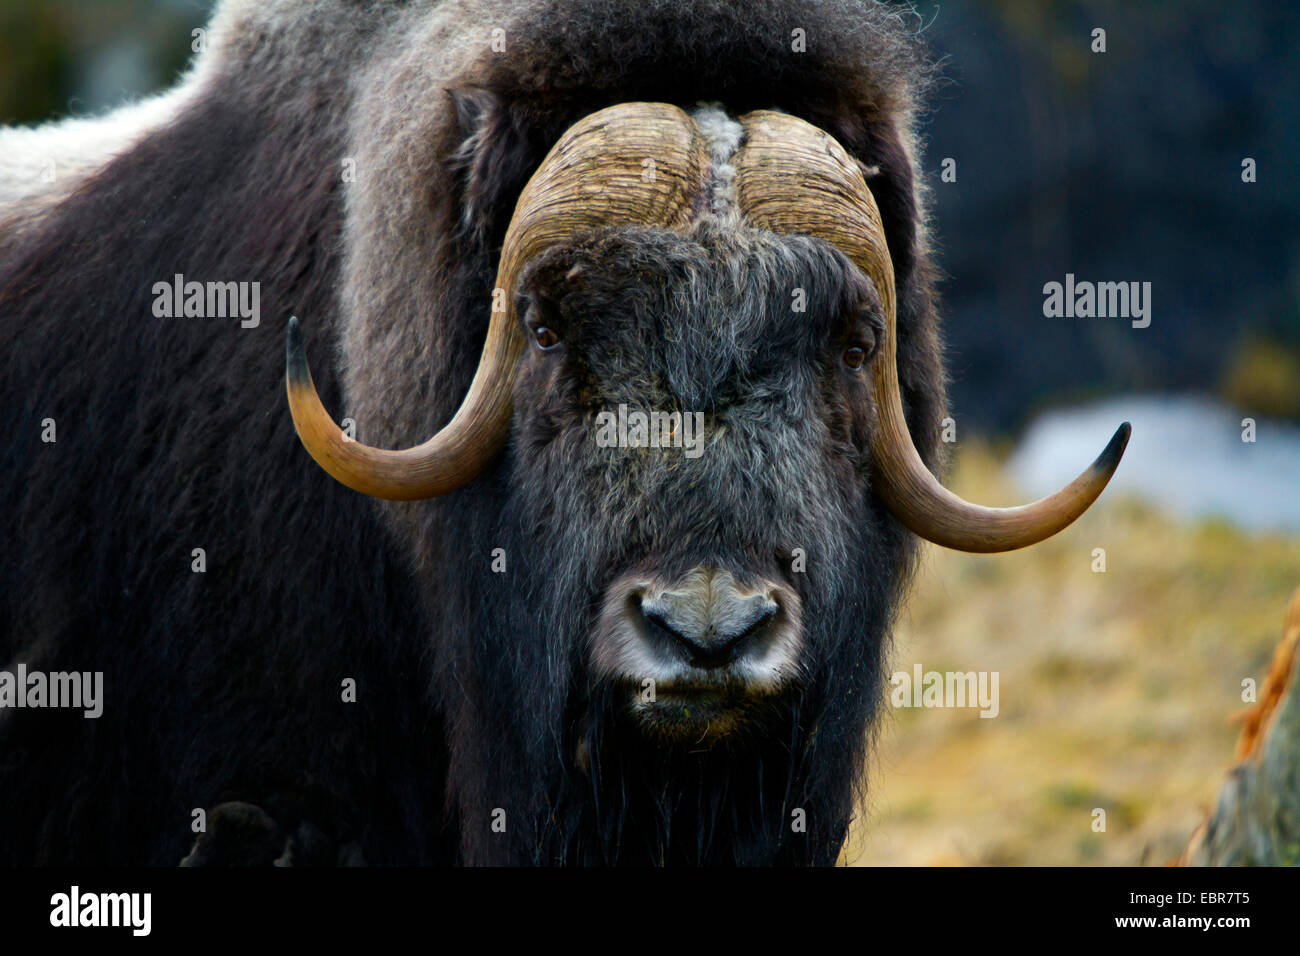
{"x":595,"y":176}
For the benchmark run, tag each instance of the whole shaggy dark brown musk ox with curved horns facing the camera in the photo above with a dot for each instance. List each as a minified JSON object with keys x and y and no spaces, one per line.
{"x":513,"y":227}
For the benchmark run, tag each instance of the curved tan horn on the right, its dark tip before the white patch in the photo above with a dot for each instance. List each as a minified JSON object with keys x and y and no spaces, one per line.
{"x":794,"y":178}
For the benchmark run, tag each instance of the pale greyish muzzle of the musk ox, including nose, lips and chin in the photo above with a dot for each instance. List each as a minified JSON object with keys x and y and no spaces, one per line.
{"x":700,"y":656}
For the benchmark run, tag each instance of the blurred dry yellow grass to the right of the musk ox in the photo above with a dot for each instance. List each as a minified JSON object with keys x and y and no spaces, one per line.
{"x":1116,"y":689}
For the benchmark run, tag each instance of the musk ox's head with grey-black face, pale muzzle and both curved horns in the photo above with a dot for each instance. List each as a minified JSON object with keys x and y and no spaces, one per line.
{"x":694,"y":353}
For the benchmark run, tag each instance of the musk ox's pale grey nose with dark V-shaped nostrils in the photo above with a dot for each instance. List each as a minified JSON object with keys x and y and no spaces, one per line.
{"x":709,"y":616}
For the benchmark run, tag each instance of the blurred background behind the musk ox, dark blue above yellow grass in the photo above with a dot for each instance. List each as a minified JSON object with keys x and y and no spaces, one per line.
{"x":1124,"y":166}
